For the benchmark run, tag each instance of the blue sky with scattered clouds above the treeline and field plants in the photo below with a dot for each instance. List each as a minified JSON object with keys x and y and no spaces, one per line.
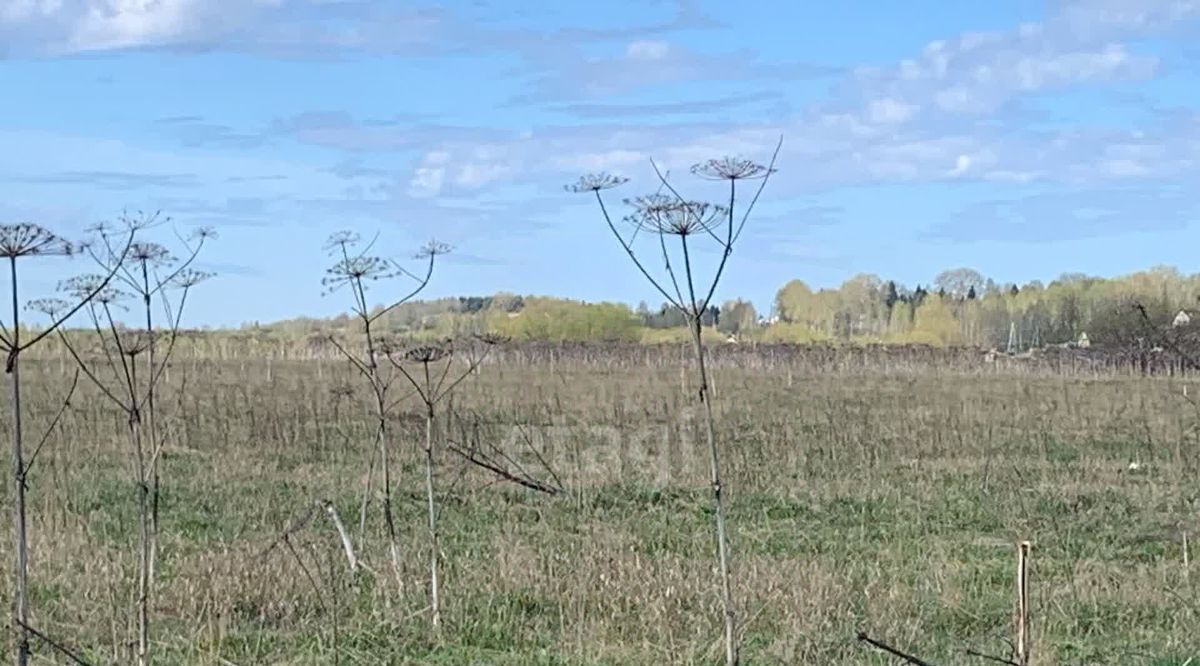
{"x":1023,"y":139}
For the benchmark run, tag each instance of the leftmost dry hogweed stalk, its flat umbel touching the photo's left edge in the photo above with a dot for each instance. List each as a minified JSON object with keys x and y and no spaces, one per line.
{"x":20,"y":243}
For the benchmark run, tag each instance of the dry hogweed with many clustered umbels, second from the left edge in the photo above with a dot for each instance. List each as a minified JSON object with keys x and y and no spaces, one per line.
{"x":127,"y":369}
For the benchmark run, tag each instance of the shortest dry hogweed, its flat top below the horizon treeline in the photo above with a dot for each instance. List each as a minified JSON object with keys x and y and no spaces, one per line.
{"x":435,"y":371}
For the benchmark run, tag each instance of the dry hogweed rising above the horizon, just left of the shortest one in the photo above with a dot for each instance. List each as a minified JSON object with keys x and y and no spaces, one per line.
{"x":355,"y":272}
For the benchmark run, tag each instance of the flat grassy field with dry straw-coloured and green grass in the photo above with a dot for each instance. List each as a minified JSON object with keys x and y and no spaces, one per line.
{"x":883,"y":500}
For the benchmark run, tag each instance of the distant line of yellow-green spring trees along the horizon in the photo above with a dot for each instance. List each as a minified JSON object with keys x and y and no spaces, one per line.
{"x":961,"y":307}
